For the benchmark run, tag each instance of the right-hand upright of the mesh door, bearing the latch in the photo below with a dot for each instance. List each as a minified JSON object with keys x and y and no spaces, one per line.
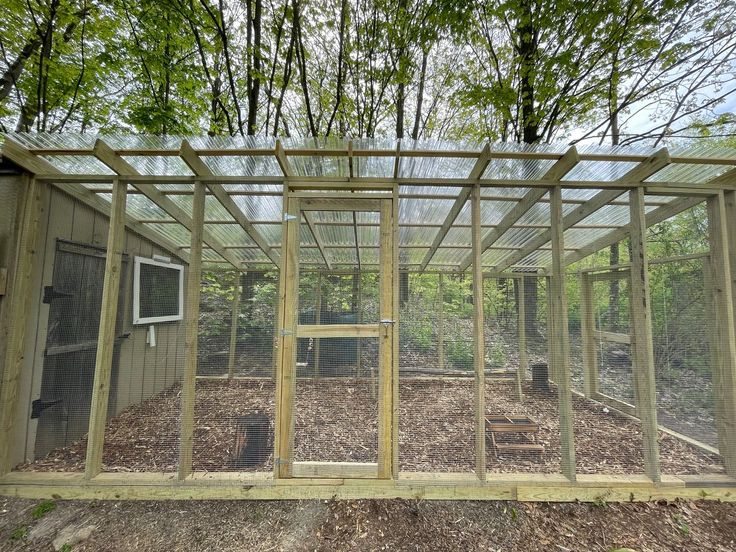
{"x":385,"y":346}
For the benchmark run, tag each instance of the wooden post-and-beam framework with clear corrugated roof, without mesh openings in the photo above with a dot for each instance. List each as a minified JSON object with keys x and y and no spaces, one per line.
{"x":570,"y":189}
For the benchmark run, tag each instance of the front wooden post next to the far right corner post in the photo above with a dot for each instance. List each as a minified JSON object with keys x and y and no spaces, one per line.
{"x":641,"y":332}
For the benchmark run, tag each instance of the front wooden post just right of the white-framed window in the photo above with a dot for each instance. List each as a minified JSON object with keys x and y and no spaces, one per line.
{"x":191,"y":328}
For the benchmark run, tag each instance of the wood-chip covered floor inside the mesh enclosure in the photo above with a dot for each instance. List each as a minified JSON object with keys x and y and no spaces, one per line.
{"x":336,"y":421}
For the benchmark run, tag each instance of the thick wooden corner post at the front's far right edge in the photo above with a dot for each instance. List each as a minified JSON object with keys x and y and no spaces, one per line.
{"x":724,"y":335}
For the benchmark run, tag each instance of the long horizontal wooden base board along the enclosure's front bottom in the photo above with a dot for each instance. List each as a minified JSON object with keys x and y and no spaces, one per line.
{"x":428,"y":486}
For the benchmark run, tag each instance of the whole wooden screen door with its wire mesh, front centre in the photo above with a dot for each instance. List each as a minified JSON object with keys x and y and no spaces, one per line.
{"x":336,"y":422}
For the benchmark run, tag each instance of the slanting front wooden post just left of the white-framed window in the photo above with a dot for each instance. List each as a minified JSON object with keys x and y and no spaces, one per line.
{"x":106,"y":334}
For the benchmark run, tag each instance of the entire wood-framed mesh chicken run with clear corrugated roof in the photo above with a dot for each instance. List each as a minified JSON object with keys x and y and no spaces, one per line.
{"x":247,"y":317}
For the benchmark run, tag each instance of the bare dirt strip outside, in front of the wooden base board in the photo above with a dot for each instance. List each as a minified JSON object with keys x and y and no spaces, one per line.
{"x":365,"y":525}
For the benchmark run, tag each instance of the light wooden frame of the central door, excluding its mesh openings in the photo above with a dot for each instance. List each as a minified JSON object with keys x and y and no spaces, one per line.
{"x":289,"y":330}
